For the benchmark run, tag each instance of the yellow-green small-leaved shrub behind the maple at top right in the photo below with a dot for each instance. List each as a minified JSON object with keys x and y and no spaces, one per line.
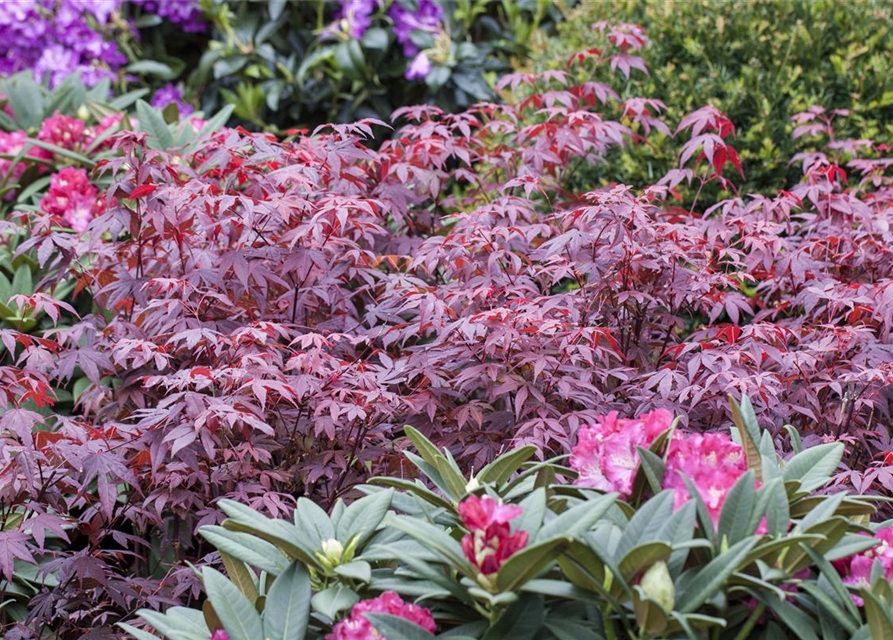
{"x":758,"y":62}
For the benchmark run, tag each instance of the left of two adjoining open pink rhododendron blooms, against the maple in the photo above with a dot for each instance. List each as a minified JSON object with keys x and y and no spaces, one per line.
{"x":605,"y":455}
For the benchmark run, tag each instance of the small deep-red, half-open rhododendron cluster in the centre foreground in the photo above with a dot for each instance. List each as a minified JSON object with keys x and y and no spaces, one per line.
{"x":490,"y":541}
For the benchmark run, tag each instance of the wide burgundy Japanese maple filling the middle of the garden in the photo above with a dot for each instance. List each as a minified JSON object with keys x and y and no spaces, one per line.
{"x":269,"y":314}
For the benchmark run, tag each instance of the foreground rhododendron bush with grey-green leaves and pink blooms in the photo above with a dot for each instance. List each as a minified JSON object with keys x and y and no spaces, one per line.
{"x":509,"y":553}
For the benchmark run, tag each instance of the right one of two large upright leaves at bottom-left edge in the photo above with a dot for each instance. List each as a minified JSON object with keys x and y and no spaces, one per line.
{"x":287,"y":610}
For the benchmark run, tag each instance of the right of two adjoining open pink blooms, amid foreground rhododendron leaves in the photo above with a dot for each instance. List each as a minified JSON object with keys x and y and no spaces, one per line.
{"x":712,"y":461}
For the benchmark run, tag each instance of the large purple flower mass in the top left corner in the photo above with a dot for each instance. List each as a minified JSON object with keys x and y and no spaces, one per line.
{"x":55,"y":39}
